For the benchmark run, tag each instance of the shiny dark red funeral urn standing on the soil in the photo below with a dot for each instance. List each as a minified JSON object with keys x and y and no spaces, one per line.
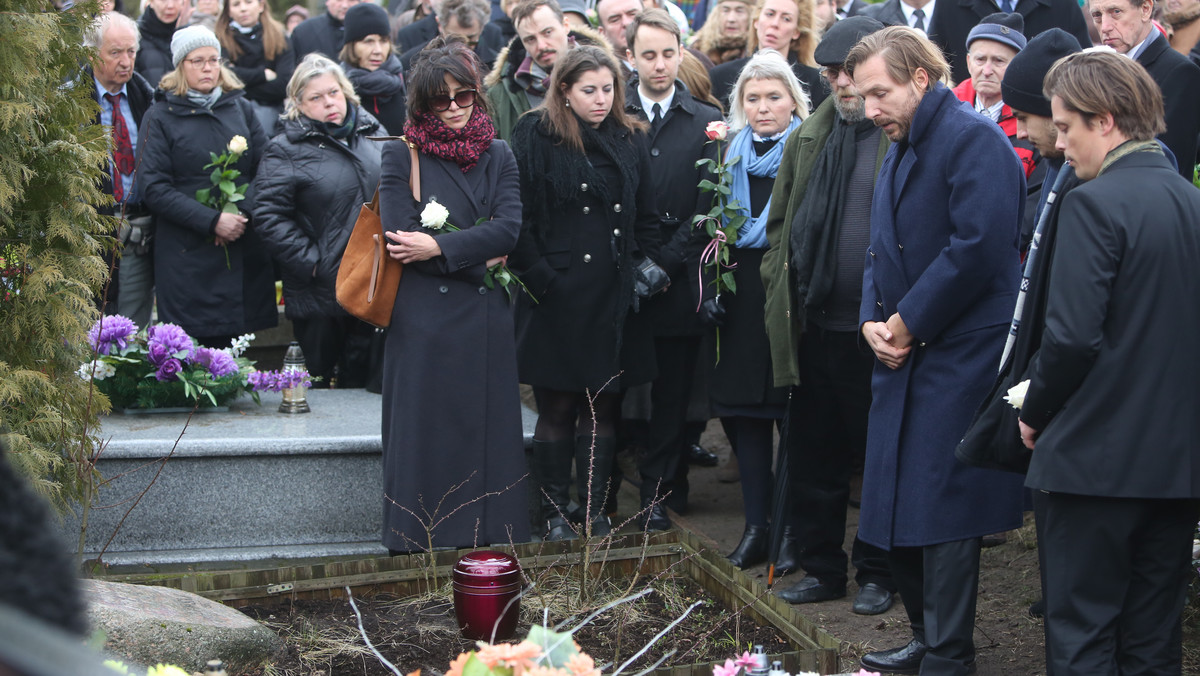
{"x":487,"y":590}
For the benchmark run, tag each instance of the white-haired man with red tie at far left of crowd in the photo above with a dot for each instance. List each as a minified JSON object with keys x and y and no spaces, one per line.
{"x":124,"y":98}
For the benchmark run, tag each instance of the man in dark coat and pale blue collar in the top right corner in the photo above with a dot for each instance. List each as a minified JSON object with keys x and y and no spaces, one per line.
{"x":1127,"y":27}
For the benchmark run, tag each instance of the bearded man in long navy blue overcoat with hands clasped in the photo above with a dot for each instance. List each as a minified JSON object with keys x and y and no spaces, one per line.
{"x":939,"y":290}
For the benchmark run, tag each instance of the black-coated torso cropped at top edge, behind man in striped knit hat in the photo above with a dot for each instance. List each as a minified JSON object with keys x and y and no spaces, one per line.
{"x":955,"y":20}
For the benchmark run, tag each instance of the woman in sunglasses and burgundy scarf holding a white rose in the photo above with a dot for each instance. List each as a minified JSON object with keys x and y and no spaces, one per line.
{"x":452,"y":412}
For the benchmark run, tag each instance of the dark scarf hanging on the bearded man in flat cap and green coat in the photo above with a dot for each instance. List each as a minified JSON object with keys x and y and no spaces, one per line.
{"x":818,"y":223}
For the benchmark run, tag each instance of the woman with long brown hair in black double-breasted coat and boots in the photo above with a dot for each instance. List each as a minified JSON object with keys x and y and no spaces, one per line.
{"x":590,"y":219}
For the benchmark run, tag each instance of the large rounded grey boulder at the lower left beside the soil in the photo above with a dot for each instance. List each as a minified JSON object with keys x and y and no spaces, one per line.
{"x":158,"y":625}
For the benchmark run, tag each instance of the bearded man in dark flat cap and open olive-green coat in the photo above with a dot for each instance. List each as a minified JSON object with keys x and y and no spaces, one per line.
{"x":819,"y":231}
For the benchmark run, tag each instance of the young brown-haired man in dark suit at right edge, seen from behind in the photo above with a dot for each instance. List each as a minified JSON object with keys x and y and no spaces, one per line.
{"x":1112,"y":400}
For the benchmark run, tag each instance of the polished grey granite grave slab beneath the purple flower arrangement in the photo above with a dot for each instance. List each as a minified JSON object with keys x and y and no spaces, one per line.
{"x":248,"y":484}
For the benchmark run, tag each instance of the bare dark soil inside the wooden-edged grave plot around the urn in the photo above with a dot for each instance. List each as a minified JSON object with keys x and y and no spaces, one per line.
{"x":322,"y":637}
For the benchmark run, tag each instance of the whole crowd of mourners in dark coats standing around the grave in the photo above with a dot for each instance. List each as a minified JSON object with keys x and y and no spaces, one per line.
{"x":845,"y":230}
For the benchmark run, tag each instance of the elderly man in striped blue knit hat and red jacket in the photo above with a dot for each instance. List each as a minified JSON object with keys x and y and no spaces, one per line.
{"x":991,"y":49}
